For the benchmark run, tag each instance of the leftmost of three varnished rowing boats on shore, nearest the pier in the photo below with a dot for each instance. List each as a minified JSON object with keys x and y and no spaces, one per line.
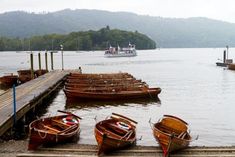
{"x":53,"y":130}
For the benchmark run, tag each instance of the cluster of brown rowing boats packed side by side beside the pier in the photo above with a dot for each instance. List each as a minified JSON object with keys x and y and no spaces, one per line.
{"x":114,"y":86}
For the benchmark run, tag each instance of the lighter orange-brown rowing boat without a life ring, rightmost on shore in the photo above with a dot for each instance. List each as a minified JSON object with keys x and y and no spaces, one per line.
{"x":172,"y":134}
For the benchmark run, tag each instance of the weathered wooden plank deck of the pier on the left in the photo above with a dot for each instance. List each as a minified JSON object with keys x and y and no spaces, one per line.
{"x":27,"y":96}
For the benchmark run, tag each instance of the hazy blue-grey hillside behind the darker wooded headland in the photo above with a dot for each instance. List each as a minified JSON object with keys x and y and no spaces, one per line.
{"x":167,"y":32}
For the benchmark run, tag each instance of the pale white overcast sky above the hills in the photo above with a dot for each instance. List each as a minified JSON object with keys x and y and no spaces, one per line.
{"x":215,"y":9}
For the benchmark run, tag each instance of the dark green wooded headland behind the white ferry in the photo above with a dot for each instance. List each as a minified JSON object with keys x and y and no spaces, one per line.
{"x":83,"y":40}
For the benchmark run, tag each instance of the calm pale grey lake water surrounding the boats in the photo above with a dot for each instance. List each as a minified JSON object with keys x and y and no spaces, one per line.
{"x":193,"y":88}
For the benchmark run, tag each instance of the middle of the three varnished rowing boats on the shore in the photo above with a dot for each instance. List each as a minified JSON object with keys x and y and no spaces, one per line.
{"x":115,"y":133}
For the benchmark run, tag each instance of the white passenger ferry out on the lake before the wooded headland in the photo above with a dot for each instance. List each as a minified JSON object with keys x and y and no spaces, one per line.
{"x":129,"y":51}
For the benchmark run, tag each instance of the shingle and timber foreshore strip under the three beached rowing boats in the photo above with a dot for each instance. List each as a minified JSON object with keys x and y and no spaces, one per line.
{"x":19,"y":148}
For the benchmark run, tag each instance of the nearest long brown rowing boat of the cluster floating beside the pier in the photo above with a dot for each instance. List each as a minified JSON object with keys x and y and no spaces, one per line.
{"x":114,"y":94}
